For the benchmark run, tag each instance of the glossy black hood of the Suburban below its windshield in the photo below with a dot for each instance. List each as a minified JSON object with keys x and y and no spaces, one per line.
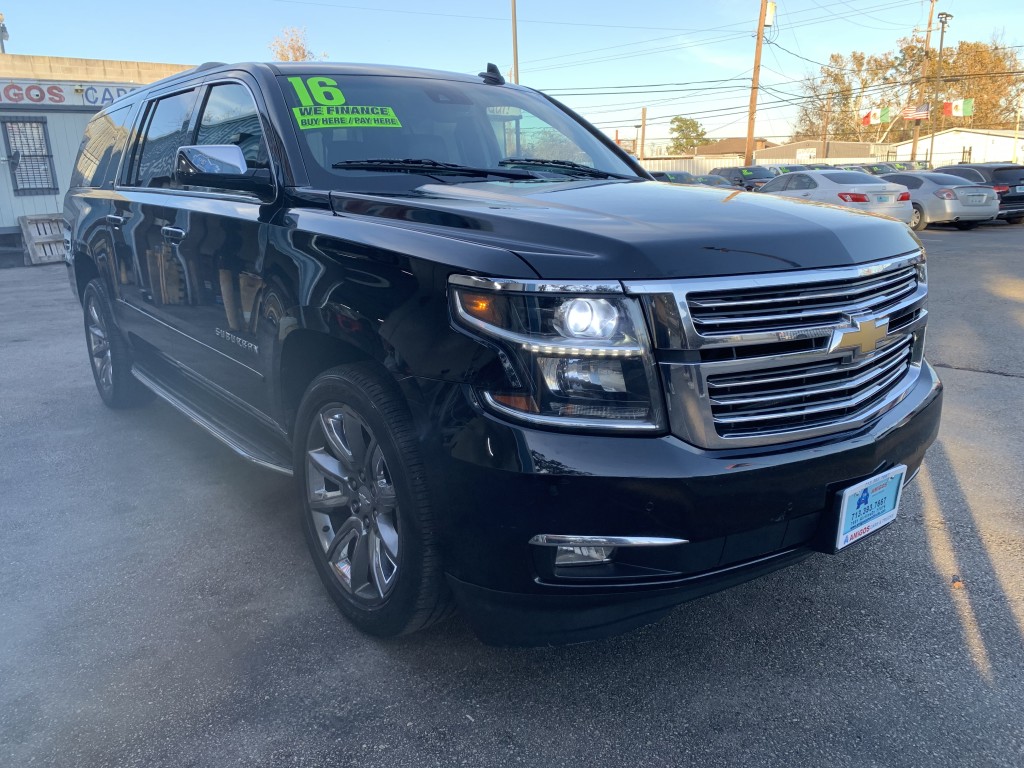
{"x":638,"y":230}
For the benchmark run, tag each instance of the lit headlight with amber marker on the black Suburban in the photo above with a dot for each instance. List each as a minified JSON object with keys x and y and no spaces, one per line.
{"x":567,"y":360}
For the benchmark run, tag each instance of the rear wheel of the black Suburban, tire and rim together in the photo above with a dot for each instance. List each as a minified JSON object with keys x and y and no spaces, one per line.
{"x":109,"y":355}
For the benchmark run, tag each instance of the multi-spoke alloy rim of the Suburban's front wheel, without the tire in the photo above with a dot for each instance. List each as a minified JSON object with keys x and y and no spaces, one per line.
{"x":353,"y":503}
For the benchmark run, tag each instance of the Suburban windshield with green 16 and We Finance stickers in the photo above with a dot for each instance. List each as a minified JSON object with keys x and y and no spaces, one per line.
{"x":344,"y":120}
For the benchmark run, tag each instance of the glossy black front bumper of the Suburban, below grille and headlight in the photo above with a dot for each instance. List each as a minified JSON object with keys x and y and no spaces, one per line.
{"x":744,"y":514}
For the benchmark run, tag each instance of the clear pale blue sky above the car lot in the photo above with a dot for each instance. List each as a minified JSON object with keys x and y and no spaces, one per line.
{"x":606,"y":60}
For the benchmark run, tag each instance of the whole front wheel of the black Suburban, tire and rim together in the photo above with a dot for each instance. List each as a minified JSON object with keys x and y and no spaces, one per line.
{"x":365,"y":504}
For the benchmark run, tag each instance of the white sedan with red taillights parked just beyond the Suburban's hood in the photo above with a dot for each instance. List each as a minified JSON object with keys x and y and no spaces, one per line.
{"x":856,"y":190}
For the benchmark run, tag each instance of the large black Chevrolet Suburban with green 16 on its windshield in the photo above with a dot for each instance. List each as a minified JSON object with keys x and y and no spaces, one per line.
{"x":506,"y":368}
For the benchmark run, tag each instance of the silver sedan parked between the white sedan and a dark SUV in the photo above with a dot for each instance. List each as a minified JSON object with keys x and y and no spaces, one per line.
{"x":943,"y":198}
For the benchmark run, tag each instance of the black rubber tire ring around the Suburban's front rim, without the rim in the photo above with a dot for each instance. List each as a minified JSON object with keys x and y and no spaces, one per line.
{"x":348,"y":386}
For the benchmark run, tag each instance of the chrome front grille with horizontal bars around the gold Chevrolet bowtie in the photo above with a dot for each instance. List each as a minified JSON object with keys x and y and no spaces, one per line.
{"x":760,"y":360}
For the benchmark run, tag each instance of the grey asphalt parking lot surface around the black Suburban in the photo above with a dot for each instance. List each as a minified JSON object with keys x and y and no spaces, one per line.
{"x":158,"y":607}
